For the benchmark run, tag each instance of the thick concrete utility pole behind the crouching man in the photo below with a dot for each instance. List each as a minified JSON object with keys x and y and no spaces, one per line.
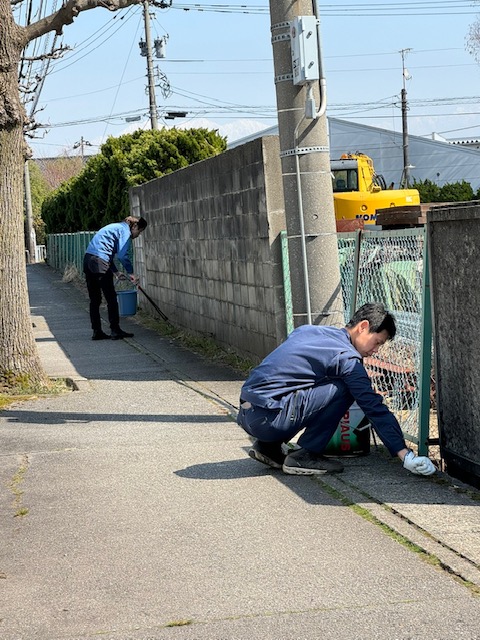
{"x":307,"y":184}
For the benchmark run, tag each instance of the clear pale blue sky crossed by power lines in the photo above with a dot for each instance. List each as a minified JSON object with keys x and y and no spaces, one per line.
{"x":219,"y":69}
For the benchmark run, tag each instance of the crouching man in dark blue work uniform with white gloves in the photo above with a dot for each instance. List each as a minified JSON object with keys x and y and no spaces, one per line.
{"x":308,"y":383}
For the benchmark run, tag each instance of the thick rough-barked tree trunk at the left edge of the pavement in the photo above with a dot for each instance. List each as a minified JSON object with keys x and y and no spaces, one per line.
{"x":19,"y":360}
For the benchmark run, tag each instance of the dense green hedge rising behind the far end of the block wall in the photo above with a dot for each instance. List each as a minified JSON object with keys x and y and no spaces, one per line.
{"x":99,"y":194}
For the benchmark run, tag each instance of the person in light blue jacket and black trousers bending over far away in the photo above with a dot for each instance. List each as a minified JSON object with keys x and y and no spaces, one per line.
{"x":112,"y":241}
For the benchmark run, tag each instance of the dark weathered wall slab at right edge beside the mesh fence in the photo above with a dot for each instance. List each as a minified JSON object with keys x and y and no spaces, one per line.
{"x":454,"y":238}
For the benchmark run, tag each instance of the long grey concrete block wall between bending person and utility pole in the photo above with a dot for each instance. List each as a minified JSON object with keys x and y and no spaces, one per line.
{"x":211,"y":254}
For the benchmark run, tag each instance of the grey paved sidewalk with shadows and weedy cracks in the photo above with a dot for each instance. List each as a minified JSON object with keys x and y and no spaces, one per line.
{"x":144,"y":518}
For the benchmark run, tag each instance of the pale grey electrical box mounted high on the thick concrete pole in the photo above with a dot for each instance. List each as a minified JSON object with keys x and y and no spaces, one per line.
{"x":304,"y":46}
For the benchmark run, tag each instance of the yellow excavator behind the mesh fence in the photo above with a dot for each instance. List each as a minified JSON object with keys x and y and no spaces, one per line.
{"x":358,"y":191}
